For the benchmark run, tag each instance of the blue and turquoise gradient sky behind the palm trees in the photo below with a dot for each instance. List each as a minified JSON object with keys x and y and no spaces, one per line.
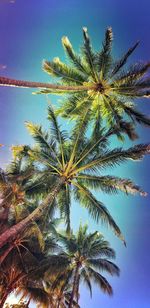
{"x":31,"y":31}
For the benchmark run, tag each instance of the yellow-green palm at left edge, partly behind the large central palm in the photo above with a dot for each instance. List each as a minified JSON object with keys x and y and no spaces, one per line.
{"x":21,"y":191}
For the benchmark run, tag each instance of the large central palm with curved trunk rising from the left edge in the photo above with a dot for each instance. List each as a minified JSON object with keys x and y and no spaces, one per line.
{"x":74,"y":165}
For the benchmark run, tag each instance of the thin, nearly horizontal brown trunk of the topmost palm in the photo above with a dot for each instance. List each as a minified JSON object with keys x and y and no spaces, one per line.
{"x":4,"y":81}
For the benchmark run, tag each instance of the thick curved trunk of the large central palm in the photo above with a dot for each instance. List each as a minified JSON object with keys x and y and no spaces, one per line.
{"x":11,"y":233}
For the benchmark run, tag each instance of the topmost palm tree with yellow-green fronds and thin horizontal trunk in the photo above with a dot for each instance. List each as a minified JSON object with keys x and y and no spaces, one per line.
{"x":98,"y":83}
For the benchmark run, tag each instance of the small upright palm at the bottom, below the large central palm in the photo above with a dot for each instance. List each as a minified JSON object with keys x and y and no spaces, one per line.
{"x":87,"y":255}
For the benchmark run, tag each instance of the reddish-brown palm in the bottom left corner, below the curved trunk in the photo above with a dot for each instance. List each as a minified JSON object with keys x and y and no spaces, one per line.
{"x":17,"y":260}
